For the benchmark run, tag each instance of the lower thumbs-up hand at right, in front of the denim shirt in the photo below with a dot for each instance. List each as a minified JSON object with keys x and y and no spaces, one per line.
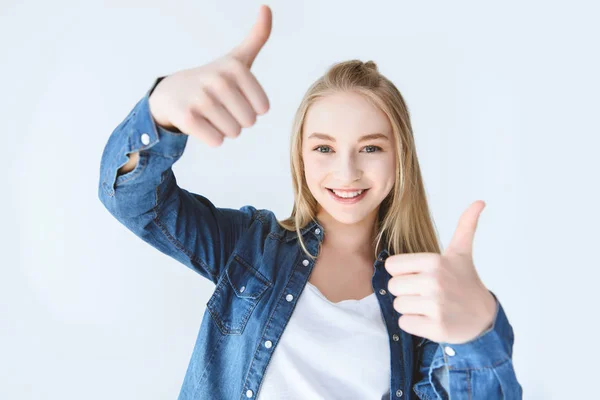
{"x":440,"y":296}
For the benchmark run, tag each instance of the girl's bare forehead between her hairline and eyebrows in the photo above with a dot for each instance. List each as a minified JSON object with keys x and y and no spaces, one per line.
{"x":346,"y":114}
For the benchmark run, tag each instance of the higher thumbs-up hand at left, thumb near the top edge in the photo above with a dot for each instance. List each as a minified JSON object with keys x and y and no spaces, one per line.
{"x":215,"y":100}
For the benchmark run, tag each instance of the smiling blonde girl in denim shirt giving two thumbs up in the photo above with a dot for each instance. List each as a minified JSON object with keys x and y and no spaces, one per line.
{"x":349,"y":297}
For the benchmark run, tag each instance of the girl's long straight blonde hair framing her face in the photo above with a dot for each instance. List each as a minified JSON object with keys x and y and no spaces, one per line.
{"x":404,"y":223}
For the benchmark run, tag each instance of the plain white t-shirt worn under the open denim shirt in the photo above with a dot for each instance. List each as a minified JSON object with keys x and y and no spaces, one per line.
{"x":330,"y":351}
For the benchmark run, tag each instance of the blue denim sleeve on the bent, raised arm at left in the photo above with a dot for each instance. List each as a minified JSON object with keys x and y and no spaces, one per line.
{"x":149,"y":202}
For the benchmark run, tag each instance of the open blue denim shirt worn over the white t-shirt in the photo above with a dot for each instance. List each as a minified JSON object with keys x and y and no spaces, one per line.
{"x":259,"y":271}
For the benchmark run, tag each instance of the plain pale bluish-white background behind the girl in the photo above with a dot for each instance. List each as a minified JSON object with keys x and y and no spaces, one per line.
{"x":504,"y":104}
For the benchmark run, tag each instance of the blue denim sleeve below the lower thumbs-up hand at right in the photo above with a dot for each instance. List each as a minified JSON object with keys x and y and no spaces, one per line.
{"x":479,"y":369}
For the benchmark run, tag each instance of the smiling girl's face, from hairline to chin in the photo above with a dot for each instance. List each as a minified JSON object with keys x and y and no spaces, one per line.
{"x":337,"y":155}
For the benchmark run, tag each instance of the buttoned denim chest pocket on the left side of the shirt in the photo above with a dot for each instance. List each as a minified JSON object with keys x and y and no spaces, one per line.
{"x":236,"y":295}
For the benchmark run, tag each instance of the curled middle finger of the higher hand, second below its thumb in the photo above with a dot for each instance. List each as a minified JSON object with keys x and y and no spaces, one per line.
{"x":228,"y":95}
